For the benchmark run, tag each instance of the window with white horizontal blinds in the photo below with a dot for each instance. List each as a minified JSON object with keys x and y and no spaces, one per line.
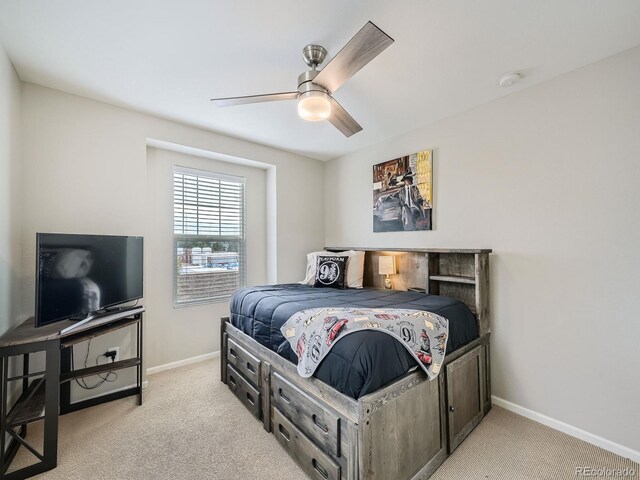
{"x":208,"y":235}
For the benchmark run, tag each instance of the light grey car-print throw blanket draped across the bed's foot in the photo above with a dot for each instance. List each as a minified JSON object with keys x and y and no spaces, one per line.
{"x":313,"y":332}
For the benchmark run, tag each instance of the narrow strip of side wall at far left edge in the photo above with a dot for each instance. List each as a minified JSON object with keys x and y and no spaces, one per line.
{"x":10,"y":112}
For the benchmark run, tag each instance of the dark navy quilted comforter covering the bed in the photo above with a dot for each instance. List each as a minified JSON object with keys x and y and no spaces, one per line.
{"x":361,"y":362}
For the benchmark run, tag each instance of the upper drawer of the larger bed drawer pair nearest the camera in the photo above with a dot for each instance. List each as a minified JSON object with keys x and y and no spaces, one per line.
{"x":307,"y":414}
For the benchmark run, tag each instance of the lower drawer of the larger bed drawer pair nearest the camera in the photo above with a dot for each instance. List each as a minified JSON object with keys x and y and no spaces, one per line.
{"x":316,"y":463}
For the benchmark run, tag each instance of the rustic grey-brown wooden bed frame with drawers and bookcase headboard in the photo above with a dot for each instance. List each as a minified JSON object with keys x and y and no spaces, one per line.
{"x":403,"y":430}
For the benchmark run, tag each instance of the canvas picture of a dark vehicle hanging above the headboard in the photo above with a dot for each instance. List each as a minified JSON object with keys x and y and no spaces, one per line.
{"x":403,"y":193}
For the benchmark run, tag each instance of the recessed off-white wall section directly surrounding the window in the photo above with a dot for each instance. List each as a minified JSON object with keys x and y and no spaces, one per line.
{"x":189,"y":331}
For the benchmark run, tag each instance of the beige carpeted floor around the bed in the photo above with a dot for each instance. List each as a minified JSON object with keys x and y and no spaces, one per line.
{"x":192,"y":427}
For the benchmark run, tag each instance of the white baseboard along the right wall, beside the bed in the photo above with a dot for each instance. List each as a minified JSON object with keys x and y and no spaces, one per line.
{"x":568,"y":429}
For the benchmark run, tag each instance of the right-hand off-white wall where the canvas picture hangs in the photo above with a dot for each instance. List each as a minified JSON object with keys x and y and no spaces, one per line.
{"x":549,"y":178}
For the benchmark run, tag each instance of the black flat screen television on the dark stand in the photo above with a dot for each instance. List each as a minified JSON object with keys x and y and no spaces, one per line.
{"x":80,"y":275}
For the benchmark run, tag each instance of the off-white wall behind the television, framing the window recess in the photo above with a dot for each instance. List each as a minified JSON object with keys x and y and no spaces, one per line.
{"x":85,"y":171}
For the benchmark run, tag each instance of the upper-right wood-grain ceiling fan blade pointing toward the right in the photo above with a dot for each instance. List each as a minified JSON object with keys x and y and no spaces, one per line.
{"x":365,"y":45}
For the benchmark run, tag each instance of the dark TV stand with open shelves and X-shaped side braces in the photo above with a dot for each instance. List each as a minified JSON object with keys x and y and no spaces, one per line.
{"x":45,"y":394}
